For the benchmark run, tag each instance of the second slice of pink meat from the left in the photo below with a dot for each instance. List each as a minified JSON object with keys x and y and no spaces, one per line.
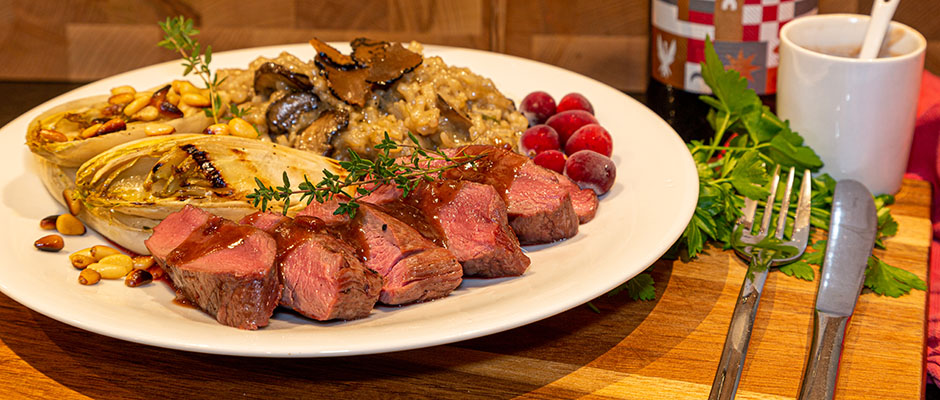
{"x":322,"y":277}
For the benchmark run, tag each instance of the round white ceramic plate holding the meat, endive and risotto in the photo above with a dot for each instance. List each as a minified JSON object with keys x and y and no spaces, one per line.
{"x":645,"y":212}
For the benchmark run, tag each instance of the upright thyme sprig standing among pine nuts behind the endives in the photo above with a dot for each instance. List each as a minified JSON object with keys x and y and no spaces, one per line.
{"x":178,"y":36}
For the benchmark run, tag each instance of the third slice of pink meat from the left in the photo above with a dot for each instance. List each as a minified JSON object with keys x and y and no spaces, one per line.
{"x":414,"y":269}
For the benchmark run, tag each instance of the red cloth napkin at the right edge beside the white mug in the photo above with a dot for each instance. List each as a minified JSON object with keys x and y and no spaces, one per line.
{"x":923,"y":164}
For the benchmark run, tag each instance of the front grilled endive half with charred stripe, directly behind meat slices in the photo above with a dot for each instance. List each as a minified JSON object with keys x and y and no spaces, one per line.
{"x":129,"y":189}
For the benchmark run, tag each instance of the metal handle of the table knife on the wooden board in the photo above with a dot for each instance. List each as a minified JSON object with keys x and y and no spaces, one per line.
{"x":822,"y":368}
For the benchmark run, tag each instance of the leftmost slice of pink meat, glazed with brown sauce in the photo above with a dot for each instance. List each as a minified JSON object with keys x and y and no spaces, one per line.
{"x":225,"y":268}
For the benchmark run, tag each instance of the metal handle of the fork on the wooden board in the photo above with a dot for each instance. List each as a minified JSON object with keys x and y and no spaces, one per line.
{"x":728,"y":375}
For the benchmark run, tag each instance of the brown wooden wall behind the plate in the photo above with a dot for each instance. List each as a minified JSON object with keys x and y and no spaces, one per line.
{"x":83,"y":40}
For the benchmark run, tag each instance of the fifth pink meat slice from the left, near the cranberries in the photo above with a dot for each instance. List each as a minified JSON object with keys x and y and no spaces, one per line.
{"x":539,"y":207}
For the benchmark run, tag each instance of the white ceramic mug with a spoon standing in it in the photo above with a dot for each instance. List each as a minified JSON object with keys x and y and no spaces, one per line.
{"x":857,"y":114}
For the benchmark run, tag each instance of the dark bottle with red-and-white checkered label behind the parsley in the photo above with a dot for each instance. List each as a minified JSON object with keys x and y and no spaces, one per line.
{"x":746,"y":35}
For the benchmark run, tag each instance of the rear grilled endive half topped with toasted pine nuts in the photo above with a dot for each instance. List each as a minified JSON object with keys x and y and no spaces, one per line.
{"x":71,"y":118}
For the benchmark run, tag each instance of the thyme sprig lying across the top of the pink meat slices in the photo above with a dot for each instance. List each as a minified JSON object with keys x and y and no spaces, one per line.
{"x":364,"y":176}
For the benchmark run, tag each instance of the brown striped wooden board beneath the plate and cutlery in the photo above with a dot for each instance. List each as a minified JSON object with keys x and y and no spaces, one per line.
{"x":663,"y":349}
